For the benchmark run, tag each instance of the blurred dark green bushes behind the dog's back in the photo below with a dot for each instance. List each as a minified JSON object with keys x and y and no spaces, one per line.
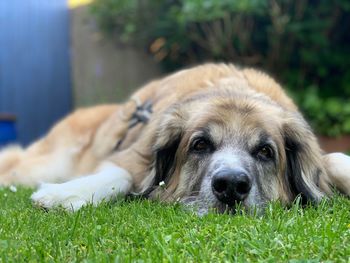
{"x":303,"y":43}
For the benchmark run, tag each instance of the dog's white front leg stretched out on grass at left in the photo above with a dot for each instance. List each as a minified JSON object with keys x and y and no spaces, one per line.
{"x":108,"y":182}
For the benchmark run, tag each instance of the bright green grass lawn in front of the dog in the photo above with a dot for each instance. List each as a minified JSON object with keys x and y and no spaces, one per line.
{"x":149,"y":231}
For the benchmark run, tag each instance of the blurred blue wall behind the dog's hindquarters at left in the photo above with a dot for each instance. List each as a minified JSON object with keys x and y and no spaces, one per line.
{"x":34,"y":64}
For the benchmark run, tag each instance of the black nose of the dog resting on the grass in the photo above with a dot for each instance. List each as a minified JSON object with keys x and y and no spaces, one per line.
{"x":231,"y":186}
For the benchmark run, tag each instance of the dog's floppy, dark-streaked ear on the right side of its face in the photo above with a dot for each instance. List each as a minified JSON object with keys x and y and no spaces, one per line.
{"x":304,"y":168}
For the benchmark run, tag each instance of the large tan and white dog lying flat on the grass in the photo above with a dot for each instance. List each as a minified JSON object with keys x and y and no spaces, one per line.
{"x":211,"y":136}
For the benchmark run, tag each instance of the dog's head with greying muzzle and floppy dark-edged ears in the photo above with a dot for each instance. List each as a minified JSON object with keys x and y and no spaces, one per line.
{"x":219,"y":149}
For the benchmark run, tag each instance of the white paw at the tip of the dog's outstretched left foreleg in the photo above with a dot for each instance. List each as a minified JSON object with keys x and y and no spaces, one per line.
{"x":54,"y":195}
